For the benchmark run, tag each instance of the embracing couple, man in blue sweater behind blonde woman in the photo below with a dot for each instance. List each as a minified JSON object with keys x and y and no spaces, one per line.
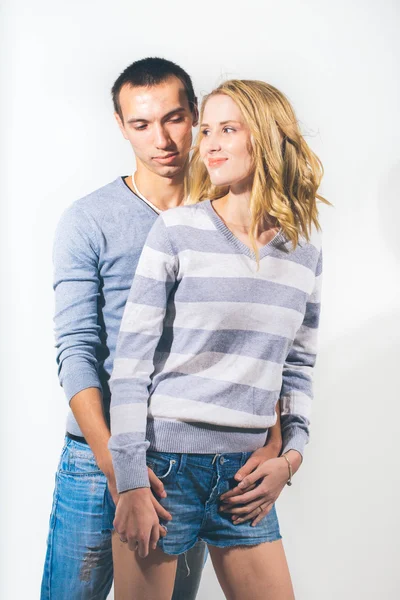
{"x":187,"y":308}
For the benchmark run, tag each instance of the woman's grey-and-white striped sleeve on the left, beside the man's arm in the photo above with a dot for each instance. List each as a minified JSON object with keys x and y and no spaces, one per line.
{"x":140,"y":332}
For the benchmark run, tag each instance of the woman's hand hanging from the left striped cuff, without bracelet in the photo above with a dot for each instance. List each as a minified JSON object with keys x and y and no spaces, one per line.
{"x":136,"y":521}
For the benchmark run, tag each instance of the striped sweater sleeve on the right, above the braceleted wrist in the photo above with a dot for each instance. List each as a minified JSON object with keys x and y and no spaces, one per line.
{"x":297,"y":381}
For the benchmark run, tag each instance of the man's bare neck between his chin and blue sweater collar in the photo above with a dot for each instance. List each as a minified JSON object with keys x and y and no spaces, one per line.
{"x":163,"y":192}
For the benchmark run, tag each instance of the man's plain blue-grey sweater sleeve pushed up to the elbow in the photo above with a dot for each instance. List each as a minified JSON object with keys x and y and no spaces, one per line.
{"x":76,"y":285}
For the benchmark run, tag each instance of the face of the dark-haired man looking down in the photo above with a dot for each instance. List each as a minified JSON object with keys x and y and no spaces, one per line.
{"x":158,"y":123}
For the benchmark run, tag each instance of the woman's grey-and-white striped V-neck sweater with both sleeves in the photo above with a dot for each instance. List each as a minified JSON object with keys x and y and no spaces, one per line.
{"x":209,"y":343}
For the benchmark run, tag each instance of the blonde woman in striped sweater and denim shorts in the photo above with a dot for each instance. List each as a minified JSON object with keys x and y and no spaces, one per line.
{"x":220,"y":326}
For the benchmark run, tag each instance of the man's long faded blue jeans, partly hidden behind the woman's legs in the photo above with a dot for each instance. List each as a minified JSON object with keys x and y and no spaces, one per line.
{"x":78,"y":563}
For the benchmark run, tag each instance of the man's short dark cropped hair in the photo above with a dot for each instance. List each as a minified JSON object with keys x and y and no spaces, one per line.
{"x":148,"y":72}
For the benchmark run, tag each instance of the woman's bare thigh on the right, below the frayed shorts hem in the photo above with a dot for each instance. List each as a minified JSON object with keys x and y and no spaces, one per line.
{"x":257,"y":572}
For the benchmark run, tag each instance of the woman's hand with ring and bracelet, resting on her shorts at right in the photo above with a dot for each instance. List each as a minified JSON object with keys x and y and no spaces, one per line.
{"x":251,"y":501}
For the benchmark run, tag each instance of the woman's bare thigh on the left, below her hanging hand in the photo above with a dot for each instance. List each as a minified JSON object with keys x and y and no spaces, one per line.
{"x":150,"y":578}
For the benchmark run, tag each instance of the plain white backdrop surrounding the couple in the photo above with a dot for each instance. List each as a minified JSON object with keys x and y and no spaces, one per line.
{"x":337,"y":63}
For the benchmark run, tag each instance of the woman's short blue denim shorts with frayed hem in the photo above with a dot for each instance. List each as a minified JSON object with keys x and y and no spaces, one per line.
{"x":193,"y":483}
